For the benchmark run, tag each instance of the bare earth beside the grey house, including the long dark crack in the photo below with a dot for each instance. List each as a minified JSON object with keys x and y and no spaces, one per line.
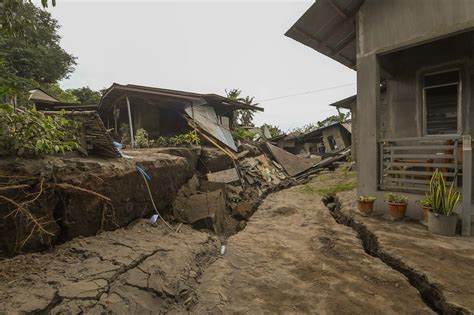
{"x":440,"y":268}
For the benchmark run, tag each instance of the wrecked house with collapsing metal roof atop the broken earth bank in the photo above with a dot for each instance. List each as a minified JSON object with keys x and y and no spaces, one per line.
{"x":164,"y":112}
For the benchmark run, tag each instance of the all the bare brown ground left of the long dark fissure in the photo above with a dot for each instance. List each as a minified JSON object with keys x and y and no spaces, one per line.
{"x":291,"y":257}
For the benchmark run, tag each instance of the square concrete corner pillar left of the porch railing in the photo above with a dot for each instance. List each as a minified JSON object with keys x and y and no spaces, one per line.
{"x":368,"y":100}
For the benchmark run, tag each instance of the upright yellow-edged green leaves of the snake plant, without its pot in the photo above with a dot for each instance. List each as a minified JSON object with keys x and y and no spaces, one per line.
{"x":442,"y":200}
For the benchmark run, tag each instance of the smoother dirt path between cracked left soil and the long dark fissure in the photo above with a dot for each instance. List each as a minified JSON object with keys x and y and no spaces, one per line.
{"x":293,"y":257}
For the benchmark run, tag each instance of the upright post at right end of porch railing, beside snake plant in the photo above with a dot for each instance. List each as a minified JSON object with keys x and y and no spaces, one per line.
{"x":466,"y":184}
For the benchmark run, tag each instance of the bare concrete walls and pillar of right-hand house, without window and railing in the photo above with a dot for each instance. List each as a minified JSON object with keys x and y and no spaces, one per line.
{"x":396,"y":40}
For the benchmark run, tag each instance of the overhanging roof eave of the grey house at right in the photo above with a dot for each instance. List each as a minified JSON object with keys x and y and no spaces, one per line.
{"x":328,"y":26}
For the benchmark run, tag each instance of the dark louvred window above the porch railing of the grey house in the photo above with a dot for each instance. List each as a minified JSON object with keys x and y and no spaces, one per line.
{"x":441,"y":102}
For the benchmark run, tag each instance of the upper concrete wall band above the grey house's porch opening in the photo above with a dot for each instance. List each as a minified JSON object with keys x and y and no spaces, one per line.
{"x":390,"y":24}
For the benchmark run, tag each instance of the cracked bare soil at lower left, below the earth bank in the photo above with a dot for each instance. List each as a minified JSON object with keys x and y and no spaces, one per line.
{"x":140,"y":269}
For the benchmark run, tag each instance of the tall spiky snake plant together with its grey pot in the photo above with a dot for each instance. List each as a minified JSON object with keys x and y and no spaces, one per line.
{"x":442,"y":220}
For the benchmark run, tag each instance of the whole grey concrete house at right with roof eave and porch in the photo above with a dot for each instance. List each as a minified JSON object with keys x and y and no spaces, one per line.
{"x":422,"y":51}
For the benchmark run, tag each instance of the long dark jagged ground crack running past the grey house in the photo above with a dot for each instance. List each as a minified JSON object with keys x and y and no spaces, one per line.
{"x":431,"y":293}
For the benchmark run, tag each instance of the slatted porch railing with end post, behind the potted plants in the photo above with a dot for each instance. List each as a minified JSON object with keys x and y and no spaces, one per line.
{"x":406,"y":165}
